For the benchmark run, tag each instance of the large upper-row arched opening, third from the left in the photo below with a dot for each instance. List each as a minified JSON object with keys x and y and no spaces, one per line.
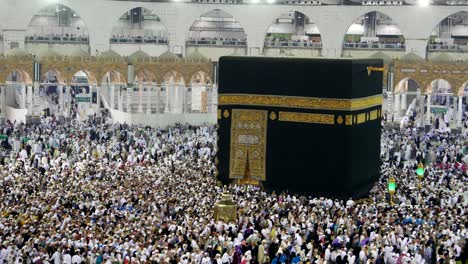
{"x":216,"y":28}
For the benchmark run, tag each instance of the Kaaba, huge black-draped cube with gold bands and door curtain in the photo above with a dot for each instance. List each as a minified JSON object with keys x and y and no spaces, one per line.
{"x":306,"y":126}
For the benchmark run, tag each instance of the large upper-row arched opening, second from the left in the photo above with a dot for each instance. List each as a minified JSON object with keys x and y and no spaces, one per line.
{"x":139,"y":28}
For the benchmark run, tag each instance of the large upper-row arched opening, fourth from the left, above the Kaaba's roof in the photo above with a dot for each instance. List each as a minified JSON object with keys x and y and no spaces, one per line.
{"x":293,"y":30}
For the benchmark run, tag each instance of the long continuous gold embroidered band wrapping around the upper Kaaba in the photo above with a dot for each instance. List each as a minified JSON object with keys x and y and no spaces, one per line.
{"x":301,"y":102}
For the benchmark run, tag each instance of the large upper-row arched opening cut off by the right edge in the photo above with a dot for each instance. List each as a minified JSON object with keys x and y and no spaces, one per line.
{"x":451,"y":34}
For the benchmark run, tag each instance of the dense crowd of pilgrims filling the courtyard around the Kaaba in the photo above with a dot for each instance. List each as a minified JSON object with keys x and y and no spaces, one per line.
{"x":113,"y":193}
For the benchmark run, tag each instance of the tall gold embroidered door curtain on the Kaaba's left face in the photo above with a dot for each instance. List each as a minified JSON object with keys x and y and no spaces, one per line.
{"x":248,"y":145}
